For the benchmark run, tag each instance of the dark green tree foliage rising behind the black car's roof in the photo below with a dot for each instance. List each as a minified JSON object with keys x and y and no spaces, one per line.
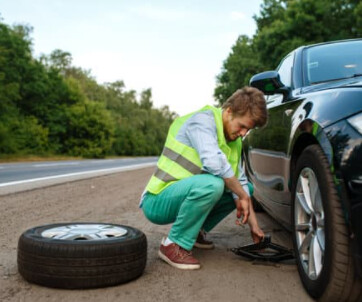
{"x":283,"y":25}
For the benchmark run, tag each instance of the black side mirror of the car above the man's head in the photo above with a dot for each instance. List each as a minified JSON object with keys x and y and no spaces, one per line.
{"x":268,"y":82}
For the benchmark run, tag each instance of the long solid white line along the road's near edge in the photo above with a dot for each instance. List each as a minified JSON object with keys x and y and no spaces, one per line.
{"x":119,"y":169}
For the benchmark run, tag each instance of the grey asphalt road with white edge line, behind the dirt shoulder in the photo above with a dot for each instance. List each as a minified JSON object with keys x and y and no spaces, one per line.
{"x":17,"y":177}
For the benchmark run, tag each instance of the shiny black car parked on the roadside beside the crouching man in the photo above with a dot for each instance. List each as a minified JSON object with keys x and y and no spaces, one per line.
{"x":306,"y":163}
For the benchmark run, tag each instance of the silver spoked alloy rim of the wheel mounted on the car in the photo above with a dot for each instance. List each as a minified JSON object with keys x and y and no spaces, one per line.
{"x":309,"y":221}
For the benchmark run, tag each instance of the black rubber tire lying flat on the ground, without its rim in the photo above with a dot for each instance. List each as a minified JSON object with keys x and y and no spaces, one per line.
{"x":75,"y":264}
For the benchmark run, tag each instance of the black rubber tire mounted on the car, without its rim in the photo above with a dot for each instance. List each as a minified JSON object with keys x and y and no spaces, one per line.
{"x":337,"y":280}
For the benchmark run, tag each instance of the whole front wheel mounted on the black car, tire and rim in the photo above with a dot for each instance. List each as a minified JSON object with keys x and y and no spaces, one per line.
{"x":321,"y":242}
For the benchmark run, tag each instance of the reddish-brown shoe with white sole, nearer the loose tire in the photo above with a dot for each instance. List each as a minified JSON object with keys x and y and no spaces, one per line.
{"x":178,"y":257}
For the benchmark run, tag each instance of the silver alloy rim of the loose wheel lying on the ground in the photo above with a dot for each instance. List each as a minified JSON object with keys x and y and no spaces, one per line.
{"x":84,"y":232}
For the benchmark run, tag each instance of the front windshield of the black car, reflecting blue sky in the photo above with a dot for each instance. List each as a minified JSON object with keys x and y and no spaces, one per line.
{"x":323,"y":63}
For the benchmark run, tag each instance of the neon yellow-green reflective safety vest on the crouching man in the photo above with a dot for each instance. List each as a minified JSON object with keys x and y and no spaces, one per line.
{"x":179,"y":161}
